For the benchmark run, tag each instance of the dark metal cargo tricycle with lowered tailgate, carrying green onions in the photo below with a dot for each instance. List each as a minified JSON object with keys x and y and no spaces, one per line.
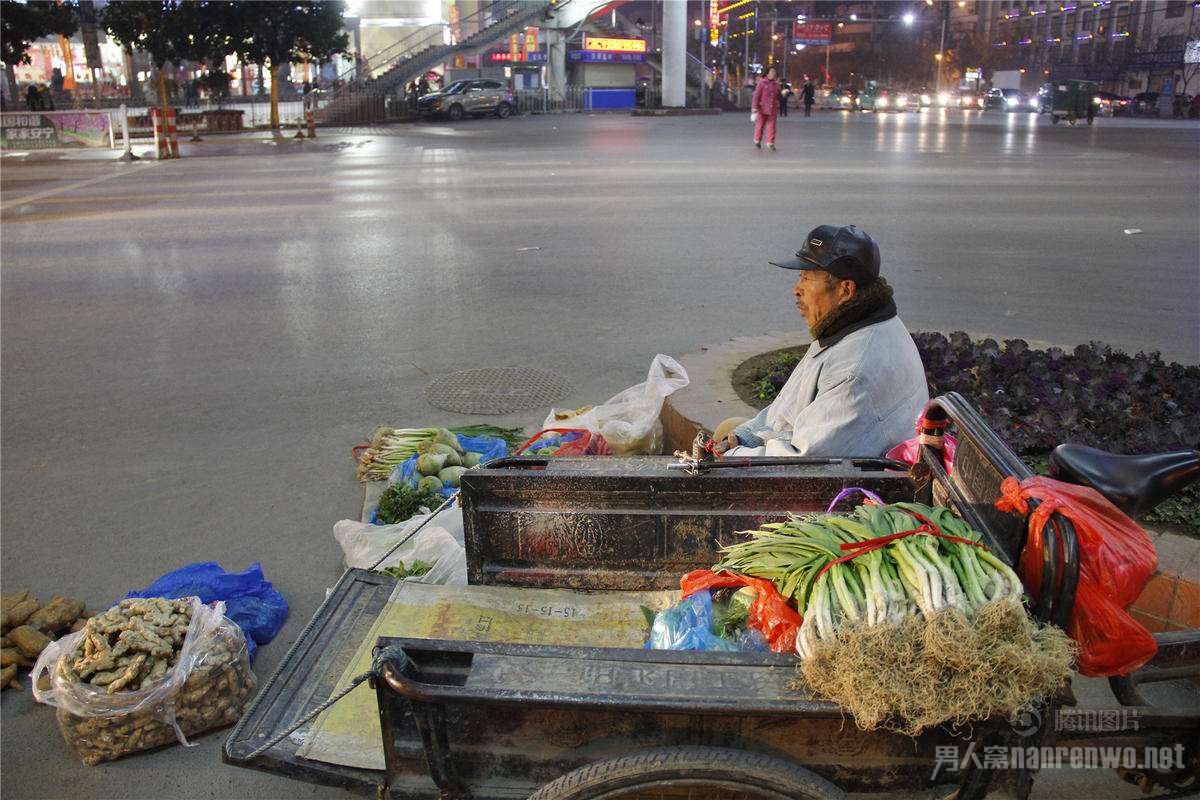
{"x":466,"y":719}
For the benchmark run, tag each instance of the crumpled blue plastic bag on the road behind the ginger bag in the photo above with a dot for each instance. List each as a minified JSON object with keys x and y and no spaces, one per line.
{"x":251,"y":601}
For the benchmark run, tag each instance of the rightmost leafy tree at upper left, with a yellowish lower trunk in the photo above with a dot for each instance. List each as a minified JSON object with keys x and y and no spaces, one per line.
{"x":280,"y":33}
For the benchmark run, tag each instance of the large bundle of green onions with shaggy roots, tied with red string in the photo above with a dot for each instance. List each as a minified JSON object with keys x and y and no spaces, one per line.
{"x":911,"y":631}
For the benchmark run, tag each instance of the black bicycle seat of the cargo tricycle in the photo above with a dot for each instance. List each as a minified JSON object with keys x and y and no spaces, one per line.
{"x":1135,"y":484}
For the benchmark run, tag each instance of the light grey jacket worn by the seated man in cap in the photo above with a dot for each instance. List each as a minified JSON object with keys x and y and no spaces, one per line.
{"x":859,"y":398}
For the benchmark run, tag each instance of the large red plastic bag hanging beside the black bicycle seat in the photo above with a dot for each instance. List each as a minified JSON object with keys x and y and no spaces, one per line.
{"x":1117,"y":560}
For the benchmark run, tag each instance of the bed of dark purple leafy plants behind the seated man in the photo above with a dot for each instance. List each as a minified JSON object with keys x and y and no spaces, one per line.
{"x":1036,"y":400}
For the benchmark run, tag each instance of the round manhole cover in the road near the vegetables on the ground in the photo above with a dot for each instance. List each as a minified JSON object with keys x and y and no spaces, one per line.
{"x":496,"y":392}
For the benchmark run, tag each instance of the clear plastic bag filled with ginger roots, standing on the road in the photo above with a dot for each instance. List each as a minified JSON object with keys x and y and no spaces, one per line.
{"x":208,"y":688}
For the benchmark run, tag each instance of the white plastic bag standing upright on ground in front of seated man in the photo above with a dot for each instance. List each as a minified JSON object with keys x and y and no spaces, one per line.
{"x":629,"y":422}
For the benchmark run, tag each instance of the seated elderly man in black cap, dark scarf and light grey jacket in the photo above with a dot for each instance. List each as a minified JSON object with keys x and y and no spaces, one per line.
{"x":861,"y":386}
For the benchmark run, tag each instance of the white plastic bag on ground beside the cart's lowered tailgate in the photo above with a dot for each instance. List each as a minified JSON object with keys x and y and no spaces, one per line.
{"x":364,"y":545}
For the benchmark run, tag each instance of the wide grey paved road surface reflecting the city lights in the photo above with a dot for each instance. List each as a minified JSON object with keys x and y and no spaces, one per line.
{"x":191,"y":348}
